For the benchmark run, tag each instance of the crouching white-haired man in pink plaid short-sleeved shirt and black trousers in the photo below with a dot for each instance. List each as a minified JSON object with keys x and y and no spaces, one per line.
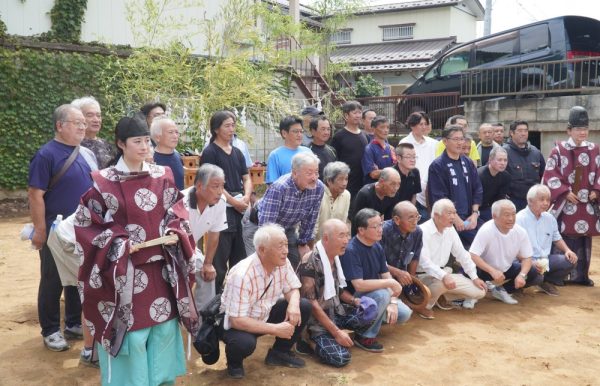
{"x":252,"y":305}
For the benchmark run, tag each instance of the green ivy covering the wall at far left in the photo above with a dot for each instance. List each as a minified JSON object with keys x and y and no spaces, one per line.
{"x":32,"y":85}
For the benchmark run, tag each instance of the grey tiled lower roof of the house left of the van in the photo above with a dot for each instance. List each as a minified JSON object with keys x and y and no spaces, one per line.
{"x":405,"y":54}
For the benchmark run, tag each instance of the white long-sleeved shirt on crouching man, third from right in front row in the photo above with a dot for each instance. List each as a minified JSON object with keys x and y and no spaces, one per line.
{"x":437,"y":248}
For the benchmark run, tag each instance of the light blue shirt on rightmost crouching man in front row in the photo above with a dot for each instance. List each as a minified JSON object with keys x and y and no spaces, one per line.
{"x":542,"y":232}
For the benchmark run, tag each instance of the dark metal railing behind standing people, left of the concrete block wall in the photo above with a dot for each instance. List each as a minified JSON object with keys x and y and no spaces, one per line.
{"x":438,"y":106}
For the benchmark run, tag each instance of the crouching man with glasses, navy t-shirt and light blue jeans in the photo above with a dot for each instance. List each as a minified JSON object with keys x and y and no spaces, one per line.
{"x":367,"y":274}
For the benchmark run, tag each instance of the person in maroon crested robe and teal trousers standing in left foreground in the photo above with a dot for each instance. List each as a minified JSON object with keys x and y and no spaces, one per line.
{"x":132,"y":297}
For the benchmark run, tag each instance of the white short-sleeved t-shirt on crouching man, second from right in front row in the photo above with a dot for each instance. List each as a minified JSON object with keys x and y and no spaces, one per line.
{"x":500,"y":250}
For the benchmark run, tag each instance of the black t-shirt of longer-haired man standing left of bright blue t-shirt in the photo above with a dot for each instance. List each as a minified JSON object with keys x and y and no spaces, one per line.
{"x":234,"y":167}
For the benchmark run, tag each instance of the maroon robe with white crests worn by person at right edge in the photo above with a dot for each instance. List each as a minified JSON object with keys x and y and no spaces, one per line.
{"x":574,"y":168}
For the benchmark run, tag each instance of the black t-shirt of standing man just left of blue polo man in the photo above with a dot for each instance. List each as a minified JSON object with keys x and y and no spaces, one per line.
{"x":350,"y":148}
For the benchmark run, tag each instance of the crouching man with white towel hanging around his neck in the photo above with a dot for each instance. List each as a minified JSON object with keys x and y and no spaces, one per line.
{"x":334,"y":308}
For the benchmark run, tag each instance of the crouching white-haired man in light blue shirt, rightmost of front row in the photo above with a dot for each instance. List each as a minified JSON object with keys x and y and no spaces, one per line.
{"x":542,"y":229}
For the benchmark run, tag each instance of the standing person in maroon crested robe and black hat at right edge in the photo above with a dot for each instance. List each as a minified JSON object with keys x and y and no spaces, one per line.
{"x":572,"y":174}
